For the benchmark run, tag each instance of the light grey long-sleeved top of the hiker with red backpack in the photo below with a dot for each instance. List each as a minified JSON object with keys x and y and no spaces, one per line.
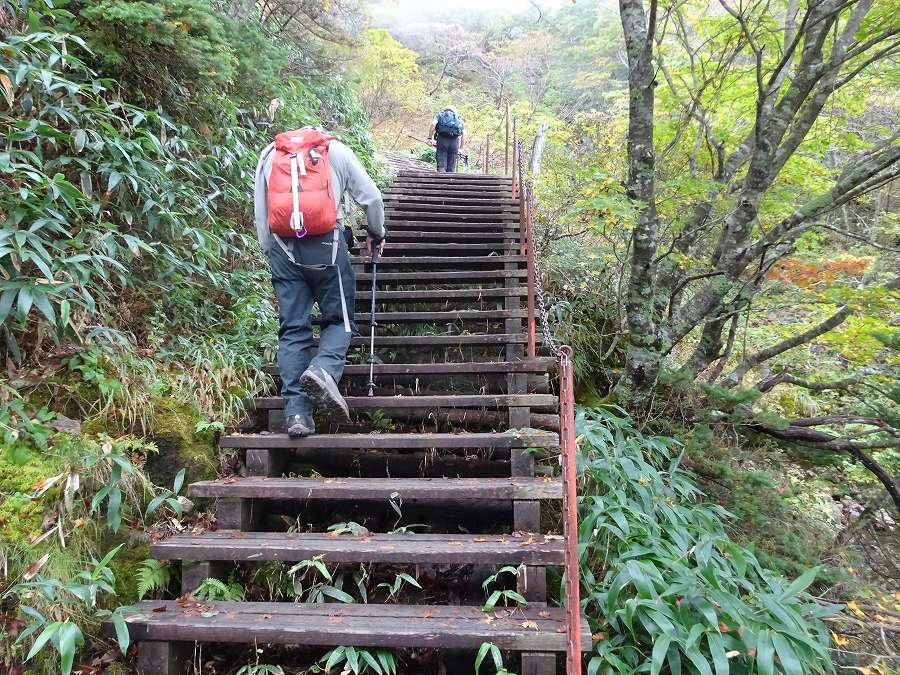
{"x":347,"y":175}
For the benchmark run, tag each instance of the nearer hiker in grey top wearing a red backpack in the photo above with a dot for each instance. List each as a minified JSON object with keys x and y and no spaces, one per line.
{"x":300,"y":181}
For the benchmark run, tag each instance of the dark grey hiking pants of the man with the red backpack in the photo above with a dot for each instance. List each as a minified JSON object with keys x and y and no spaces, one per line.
{"x":311,"y":278}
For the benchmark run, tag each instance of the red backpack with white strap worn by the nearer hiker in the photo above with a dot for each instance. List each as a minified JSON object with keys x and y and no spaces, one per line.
{"x":300,"y":196}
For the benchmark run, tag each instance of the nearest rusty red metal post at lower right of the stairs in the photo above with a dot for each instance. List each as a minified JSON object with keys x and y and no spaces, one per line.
{"x":570,"y":511}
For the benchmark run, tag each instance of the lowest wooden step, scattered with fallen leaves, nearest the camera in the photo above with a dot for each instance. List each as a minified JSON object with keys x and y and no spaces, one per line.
{"x":540,"y":629}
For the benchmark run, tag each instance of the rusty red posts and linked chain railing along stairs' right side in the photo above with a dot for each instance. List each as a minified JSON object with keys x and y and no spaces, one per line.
{"x":563,"y":354}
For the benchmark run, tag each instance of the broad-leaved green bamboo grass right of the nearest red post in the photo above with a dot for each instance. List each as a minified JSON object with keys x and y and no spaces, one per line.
{"x":665,"y":588}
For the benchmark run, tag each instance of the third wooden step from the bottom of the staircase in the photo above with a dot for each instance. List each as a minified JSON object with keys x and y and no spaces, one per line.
{"x":379,"y":489}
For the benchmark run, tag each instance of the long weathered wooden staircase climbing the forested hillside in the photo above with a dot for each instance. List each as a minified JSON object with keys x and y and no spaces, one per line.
{"x":457,"y":408}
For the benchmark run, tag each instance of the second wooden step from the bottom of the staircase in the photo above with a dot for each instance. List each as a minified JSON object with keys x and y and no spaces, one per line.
{"x":425,"y":549}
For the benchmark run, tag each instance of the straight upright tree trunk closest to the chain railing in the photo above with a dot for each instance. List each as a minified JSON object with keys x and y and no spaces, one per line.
{"x":643,"y":355}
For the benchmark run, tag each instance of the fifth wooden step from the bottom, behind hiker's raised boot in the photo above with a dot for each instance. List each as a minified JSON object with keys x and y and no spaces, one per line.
{"x":493,"y":401}
